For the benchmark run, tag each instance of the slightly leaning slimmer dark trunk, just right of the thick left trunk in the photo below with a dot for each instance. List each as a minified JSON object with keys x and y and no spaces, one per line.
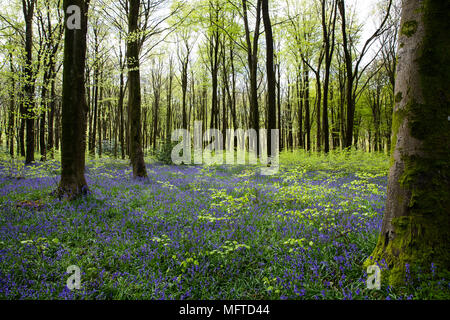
{"x":134,"y":93}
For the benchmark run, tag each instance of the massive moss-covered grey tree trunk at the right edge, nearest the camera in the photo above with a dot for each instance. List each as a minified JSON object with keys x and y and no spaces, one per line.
{"x":416,"y":224}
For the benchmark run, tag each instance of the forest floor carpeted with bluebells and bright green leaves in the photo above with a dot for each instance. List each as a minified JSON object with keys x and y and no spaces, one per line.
{"x":193,"y":232}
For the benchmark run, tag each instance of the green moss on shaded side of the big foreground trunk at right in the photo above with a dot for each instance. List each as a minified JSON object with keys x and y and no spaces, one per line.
{"x":422,"y":236}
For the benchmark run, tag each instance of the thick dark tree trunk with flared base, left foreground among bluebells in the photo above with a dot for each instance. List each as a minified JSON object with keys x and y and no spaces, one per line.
{"x":74,"y":107}
